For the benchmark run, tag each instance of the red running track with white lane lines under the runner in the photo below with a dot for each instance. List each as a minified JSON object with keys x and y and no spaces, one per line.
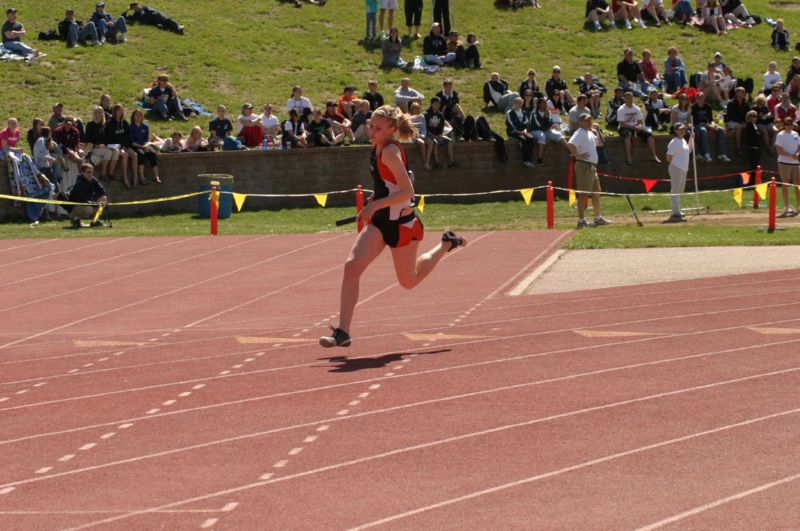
{"x":177,"y":383}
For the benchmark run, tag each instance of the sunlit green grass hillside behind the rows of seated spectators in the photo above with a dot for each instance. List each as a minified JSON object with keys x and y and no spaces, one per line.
{"x":256,"y":51}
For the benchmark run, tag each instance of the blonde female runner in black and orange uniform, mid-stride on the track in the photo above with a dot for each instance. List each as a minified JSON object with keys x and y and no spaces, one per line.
{"x":389,"y":219}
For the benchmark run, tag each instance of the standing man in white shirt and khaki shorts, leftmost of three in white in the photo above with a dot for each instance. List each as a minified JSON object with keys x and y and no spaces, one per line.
{"x":583,"y":146}
